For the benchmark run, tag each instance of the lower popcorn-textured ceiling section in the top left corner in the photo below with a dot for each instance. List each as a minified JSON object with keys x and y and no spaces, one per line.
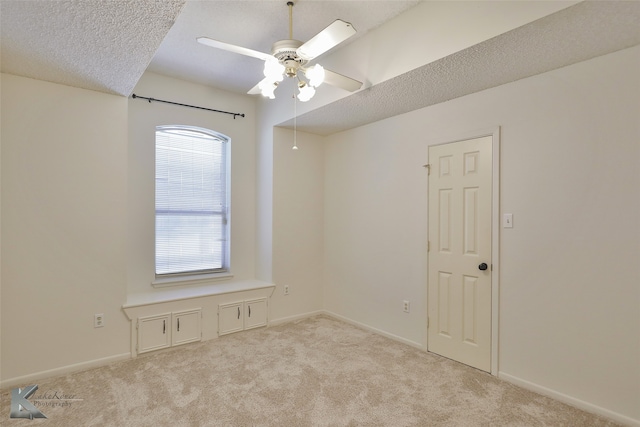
{"x":104,"y":47}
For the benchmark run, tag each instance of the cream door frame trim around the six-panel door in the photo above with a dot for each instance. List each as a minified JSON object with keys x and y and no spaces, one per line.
{"x":494,"y":133}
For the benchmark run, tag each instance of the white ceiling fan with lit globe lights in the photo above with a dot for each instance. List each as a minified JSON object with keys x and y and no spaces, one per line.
{"x":290,"y":58}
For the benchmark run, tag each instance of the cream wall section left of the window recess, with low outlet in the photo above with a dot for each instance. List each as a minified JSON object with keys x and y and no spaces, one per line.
{"x":64,"y":175}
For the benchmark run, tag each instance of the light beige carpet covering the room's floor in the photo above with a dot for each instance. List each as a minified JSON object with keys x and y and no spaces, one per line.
{"x":313,"y":372}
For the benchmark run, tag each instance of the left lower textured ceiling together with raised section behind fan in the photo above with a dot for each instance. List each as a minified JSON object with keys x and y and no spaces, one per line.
{"x":106,"y":45}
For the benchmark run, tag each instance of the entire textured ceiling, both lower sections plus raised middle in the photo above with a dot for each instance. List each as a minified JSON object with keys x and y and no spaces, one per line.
{"x":106,"y":45}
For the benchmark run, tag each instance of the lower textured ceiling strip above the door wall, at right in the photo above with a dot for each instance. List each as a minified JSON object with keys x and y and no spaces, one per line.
{"x":575,"y":34}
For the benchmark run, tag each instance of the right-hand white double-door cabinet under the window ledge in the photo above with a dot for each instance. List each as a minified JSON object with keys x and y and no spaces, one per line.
{"x":238,"y":316}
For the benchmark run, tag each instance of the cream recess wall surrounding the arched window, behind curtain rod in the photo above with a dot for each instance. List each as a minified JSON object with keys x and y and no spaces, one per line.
{"x":143,"y":119}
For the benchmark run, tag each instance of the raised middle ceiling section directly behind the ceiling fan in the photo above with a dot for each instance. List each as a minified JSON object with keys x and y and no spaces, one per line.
{"x":255,"y":25}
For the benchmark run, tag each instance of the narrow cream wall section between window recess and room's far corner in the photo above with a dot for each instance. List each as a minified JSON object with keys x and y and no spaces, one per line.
{"x":298,"y":223}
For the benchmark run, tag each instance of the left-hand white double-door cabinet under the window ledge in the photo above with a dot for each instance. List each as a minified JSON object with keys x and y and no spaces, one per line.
{"x":168,"y":329}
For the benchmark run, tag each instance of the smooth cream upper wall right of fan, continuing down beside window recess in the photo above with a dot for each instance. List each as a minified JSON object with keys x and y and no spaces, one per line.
{"x":392,"y":49}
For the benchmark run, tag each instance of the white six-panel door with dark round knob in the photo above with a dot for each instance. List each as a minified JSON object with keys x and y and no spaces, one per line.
{"x":460,"y":186}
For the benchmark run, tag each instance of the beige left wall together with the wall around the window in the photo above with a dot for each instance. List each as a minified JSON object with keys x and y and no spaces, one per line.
{"x":77,"y":213}
